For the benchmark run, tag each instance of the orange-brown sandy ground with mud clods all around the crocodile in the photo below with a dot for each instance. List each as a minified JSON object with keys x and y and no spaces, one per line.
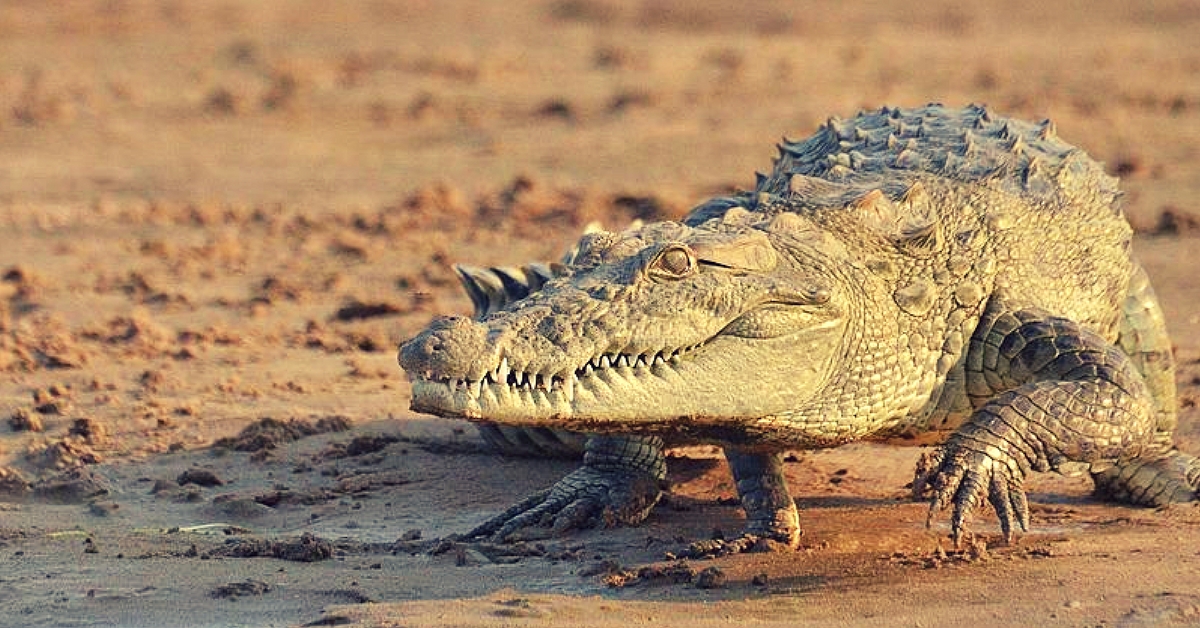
{"x":226,"y":216}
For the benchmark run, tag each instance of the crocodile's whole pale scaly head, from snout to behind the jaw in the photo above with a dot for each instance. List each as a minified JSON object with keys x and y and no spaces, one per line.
{"x":716,"y":325}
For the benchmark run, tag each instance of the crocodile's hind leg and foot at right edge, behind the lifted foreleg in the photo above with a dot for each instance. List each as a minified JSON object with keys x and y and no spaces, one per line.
{"x":1153,"y":481}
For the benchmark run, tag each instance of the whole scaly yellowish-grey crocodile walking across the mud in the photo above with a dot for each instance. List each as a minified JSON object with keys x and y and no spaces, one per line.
{"x":926,"y":276}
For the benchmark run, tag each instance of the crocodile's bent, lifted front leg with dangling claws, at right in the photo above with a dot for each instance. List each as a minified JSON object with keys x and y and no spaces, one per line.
{"x":1048,"y":393}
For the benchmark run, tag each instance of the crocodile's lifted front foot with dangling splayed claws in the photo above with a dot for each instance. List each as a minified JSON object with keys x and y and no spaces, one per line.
{"x":962,"y":479}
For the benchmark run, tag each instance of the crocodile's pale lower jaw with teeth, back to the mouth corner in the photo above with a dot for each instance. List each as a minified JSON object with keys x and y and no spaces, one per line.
{"x":645,"y":387}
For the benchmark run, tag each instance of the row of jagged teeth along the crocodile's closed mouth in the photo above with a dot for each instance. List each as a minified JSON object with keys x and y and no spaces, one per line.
{"x":507,"y":386}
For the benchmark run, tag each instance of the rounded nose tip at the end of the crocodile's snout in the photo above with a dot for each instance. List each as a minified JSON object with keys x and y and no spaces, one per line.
{"x":451,"y":349}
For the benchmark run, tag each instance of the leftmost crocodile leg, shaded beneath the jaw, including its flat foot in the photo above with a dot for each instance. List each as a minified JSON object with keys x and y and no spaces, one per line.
{"x":619,"y":485}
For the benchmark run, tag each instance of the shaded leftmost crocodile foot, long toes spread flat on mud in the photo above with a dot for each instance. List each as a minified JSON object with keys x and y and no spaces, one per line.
{"x":587,"y":498}
